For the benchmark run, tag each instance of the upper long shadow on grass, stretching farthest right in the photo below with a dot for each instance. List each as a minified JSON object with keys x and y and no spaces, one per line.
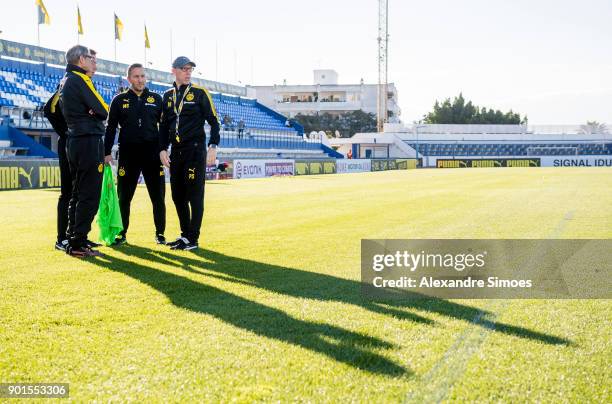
{"x":316,"y":286}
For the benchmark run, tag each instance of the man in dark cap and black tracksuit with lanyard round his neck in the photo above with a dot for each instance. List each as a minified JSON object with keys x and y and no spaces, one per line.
{"x":186,"y":107}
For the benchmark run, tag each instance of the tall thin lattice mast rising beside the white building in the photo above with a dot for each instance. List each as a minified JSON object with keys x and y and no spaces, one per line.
{"x":383,"y":54}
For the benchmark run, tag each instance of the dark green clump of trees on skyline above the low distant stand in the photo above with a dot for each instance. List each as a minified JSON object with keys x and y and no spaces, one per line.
{"x":458,"y":111}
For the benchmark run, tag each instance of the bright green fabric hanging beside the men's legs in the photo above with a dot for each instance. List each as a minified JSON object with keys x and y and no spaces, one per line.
{"x":109,"y":215}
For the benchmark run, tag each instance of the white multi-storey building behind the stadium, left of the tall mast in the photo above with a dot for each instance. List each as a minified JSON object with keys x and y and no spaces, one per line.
{"x":324,"y":95}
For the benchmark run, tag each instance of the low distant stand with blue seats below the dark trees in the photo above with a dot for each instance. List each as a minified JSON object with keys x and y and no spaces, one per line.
{"x":441,"y":141}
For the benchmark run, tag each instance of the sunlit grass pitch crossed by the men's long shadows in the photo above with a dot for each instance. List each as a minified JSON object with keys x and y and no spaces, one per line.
{"x":270,"y":308}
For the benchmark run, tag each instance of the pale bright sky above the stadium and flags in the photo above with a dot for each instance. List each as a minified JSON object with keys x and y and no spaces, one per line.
{"x":549,"y":60}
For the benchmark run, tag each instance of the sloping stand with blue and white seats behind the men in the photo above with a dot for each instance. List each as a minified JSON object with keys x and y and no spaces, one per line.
{"x":25,"y":86}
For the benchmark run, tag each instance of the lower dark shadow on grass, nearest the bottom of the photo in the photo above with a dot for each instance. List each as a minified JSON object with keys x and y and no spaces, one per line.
{"x":352,"y":348}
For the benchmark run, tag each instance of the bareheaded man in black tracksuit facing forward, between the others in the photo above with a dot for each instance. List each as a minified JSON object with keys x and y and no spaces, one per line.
{"x":137,"y":111}
